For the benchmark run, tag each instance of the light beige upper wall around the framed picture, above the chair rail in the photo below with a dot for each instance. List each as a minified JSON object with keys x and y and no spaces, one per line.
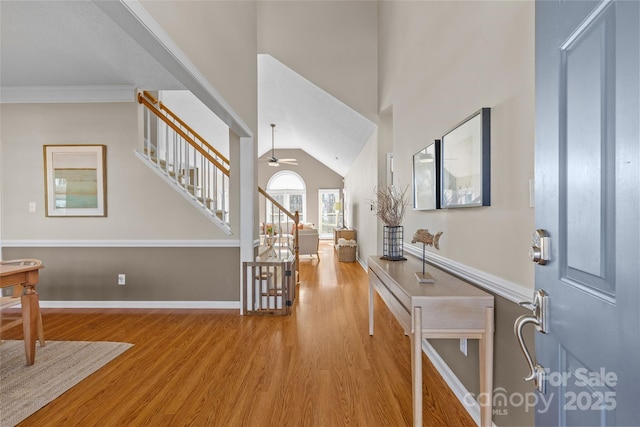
{"x":140,"y":204}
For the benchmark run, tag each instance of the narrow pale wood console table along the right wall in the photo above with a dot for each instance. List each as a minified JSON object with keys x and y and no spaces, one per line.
{"x":448,"y":308}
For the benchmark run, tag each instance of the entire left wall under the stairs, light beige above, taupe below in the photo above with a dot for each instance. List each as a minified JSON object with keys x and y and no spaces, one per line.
{"x":81,"y":261}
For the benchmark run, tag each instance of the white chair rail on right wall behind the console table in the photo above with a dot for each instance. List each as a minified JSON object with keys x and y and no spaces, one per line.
{"x":509,"y":290}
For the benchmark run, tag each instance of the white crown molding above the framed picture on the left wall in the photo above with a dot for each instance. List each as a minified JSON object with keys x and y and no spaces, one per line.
{"x":67,"y":94}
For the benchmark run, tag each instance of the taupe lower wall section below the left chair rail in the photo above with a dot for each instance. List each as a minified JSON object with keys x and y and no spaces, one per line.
{"x":152,"y":274}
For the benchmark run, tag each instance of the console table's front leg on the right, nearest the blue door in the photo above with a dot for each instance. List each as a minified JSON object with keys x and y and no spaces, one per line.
{"x":486,"y":370}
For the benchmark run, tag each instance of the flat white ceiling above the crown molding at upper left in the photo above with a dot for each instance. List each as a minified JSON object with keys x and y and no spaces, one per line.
{"x":72,"y":43}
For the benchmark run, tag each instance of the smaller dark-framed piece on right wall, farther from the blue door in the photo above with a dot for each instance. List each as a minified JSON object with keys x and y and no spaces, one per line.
{"x":426,"y":188}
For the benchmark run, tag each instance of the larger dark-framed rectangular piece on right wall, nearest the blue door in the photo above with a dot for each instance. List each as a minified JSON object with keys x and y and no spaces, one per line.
{"x":465,"y":162}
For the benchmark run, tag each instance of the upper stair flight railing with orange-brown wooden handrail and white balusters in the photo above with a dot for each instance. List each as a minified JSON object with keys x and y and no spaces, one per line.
{"x":187,"y":162}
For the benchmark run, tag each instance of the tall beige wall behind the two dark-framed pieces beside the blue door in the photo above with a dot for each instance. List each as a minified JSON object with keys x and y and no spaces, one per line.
{"x":439,"y":63}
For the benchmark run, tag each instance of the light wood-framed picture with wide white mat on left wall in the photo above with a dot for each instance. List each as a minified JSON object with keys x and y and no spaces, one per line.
{"x":75,"y":180}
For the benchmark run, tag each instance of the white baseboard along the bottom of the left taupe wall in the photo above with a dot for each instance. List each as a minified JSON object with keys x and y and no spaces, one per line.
{"x":232,"y":305}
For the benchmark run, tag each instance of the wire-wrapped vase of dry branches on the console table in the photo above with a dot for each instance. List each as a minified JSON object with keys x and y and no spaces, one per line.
{"x":390,"y":206}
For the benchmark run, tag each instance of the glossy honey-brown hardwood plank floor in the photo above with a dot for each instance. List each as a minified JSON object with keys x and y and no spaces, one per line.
{"x":317,"y":367}
